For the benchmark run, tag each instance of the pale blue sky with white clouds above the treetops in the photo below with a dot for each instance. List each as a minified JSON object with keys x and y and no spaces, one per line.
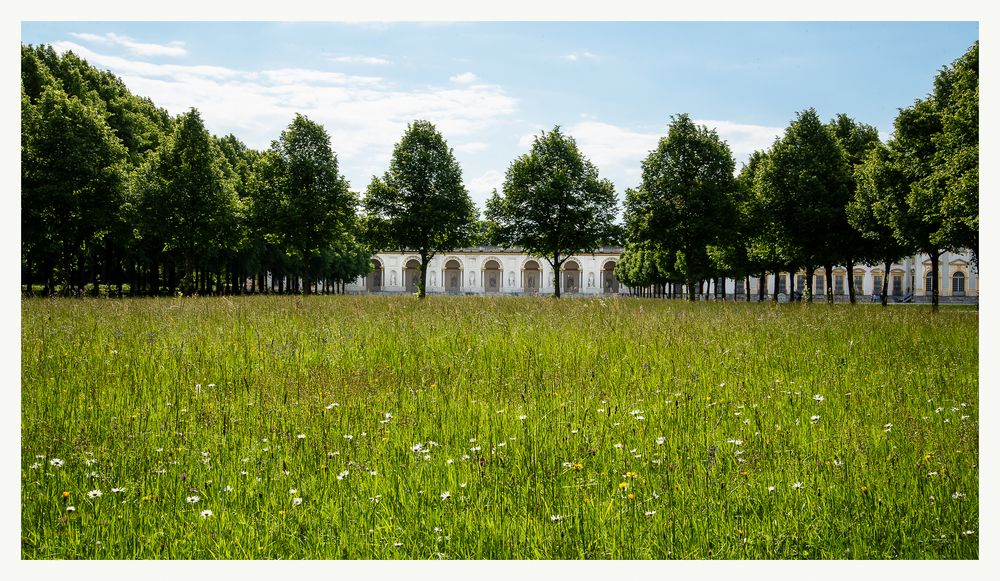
{"x":491,"y":86}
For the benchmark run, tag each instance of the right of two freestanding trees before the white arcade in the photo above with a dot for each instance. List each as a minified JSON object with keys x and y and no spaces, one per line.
{"x":554,"y":204}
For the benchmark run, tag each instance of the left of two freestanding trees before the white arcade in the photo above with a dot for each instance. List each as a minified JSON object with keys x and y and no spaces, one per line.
{"x":420,"y":203}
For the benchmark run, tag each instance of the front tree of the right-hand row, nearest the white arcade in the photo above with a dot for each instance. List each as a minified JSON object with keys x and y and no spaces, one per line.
{"x":688,"y":180}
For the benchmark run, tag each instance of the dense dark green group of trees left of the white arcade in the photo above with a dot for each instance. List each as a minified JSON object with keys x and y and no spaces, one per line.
{"x":116,"y":192}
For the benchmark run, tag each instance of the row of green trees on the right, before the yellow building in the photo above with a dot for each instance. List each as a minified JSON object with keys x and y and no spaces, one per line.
{"x":822,"y":195}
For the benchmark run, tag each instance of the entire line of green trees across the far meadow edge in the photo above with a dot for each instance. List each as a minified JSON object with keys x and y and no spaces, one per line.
{"x":115,"y":193}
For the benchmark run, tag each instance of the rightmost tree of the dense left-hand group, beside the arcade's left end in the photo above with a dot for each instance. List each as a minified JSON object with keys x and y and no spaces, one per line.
{"x":318,"y":202}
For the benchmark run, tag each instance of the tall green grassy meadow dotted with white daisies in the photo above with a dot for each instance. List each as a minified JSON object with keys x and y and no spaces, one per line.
{"x":464,"y":428}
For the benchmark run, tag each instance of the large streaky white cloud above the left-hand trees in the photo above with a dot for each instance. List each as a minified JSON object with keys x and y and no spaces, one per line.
{"x":364,"y":115}
